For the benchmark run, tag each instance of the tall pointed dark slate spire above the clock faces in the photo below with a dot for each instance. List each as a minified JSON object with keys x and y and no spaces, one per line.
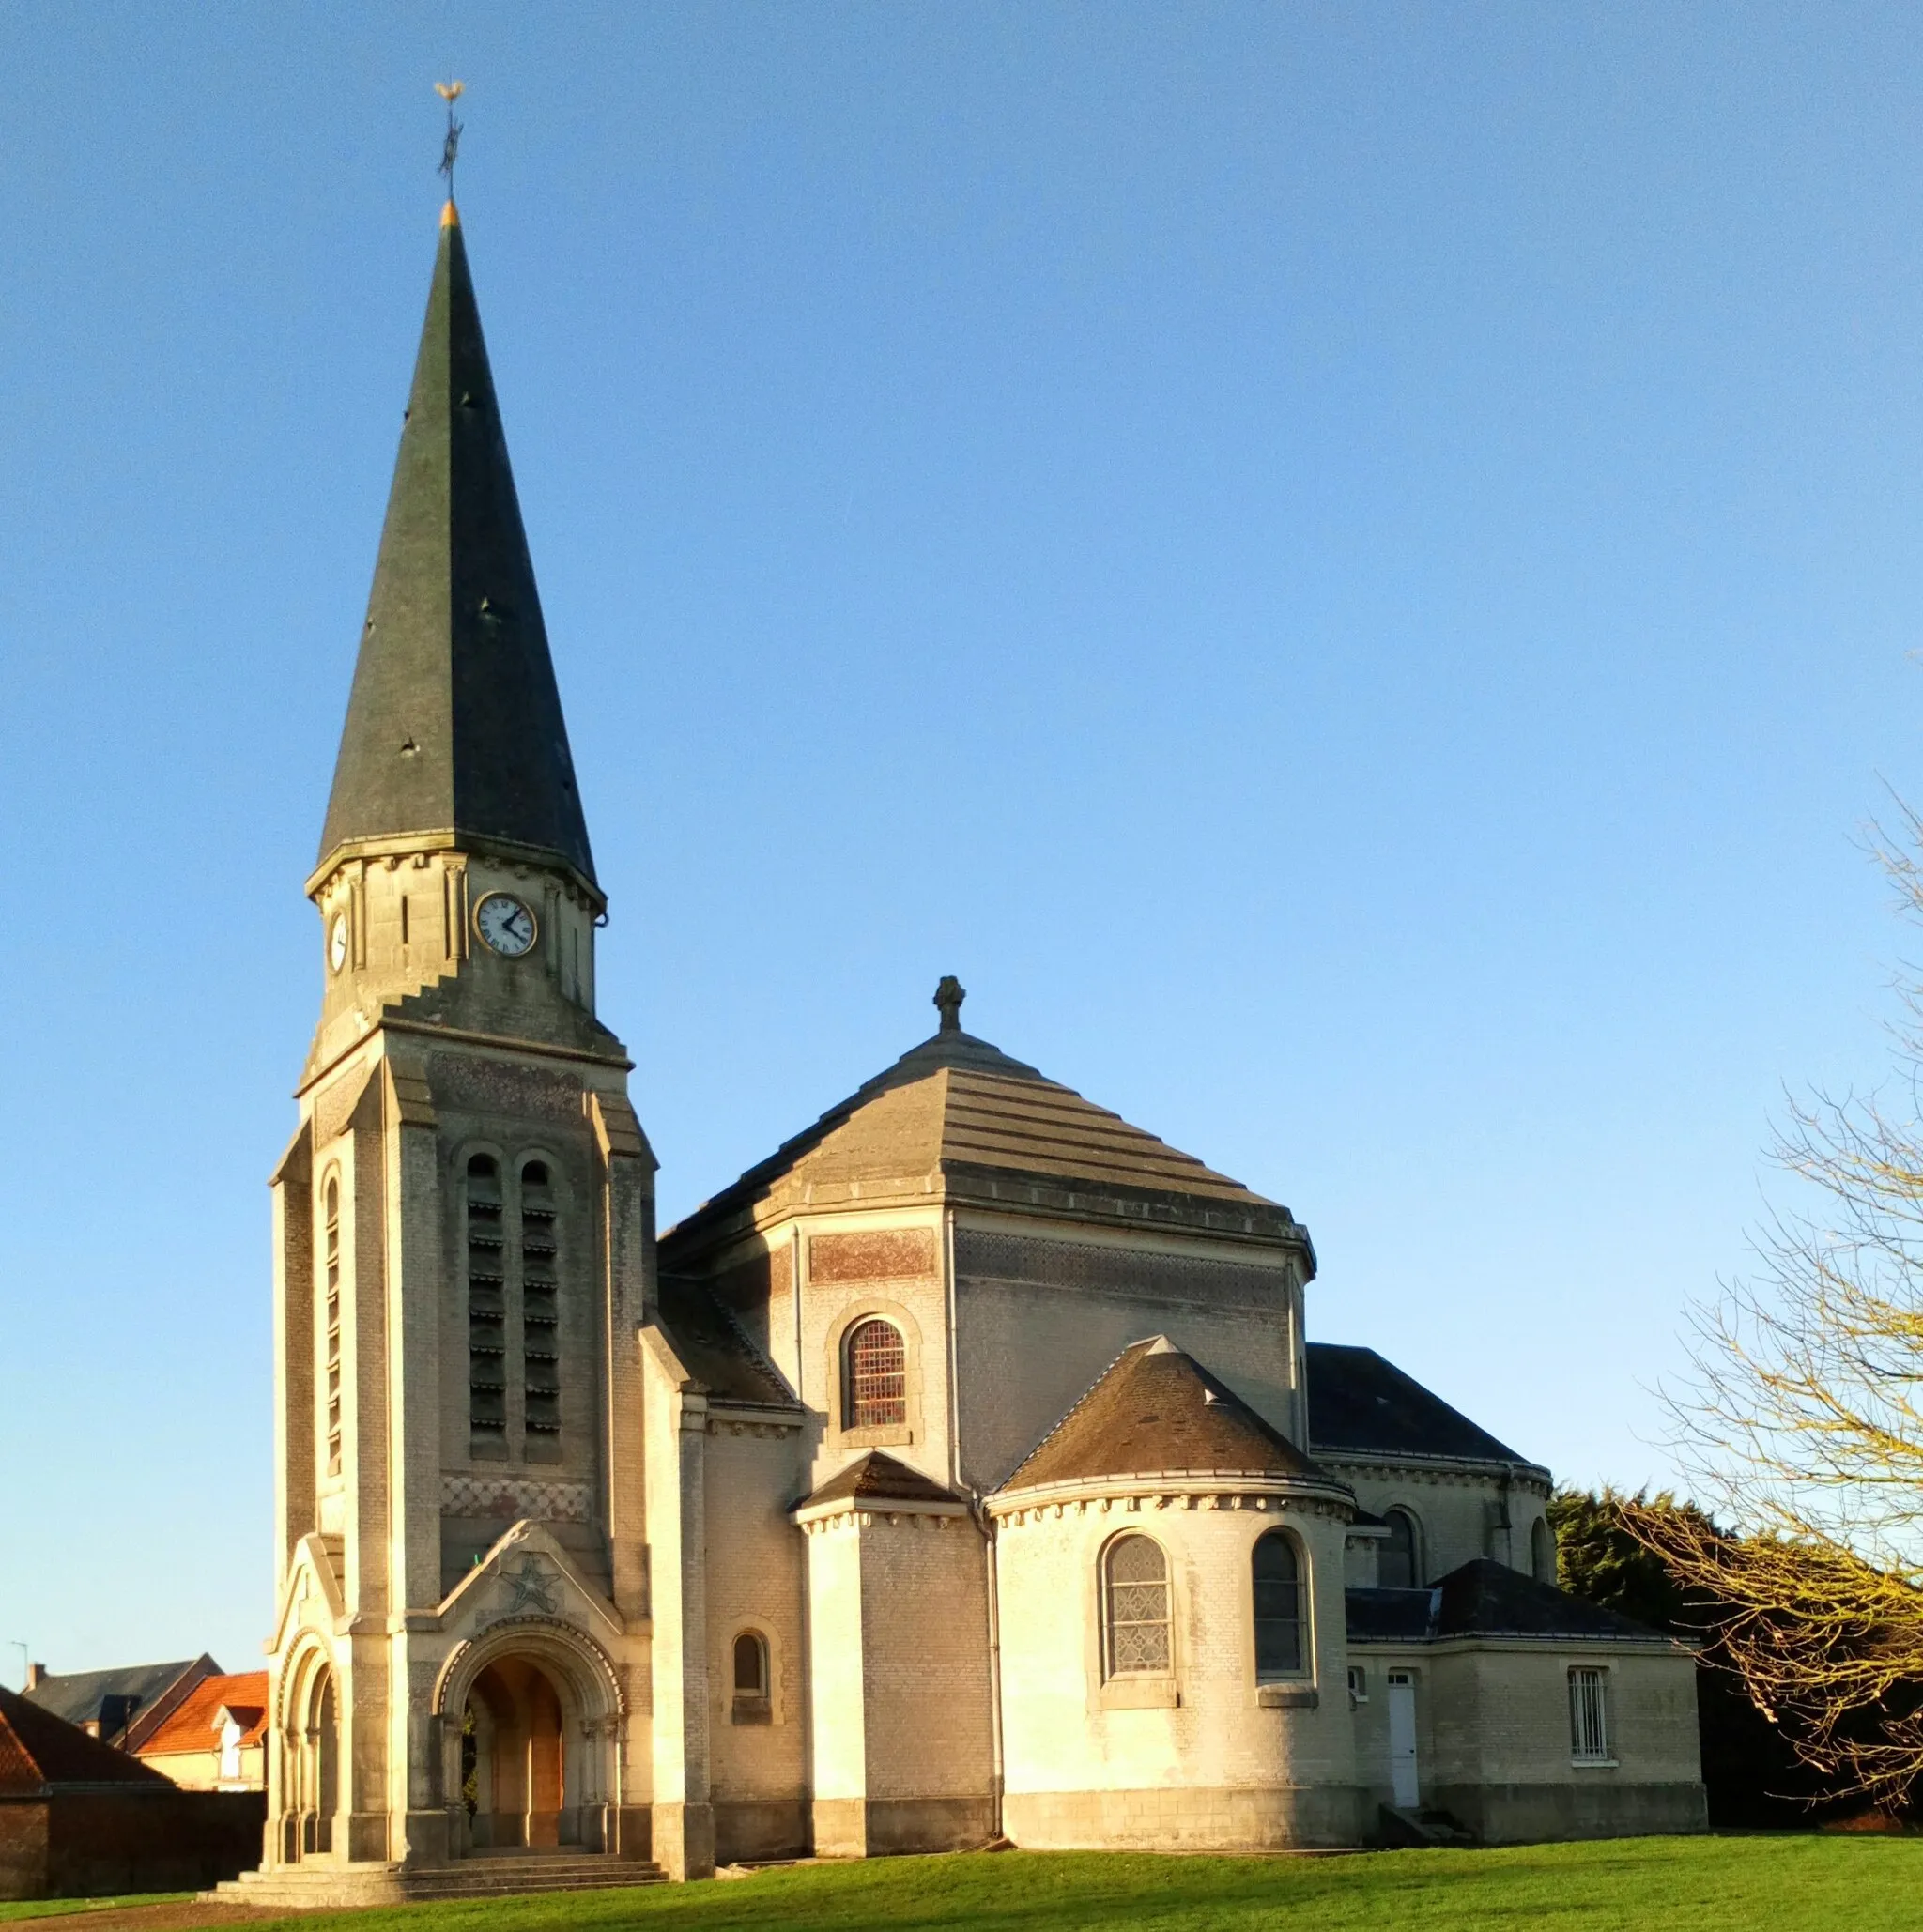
{"x":455,"y":724}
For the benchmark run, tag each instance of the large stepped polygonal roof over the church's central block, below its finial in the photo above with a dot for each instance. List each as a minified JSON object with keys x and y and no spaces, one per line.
{"x":958,"y":1108}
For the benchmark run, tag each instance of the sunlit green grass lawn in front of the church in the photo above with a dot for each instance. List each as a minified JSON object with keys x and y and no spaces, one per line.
{"x":1671,"y":1885}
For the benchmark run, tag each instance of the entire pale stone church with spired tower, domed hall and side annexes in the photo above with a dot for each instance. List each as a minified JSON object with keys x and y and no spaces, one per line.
{"x":961,"y":1471}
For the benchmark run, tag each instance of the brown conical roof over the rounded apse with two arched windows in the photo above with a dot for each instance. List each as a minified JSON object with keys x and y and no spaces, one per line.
{"x":1159,"y":1413}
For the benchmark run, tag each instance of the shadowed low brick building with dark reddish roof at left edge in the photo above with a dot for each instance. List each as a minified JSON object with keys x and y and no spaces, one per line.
{"x":80,"y":1819}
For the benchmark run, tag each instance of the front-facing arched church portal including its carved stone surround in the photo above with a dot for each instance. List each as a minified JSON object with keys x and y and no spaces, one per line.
{"x":532,"y":1726}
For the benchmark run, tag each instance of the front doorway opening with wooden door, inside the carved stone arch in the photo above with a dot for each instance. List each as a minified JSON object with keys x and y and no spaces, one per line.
{"x":513,"y":1759}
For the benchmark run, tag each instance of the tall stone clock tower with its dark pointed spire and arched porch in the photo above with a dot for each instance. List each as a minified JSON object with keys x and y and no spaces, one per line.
{"x":463,"y":1228}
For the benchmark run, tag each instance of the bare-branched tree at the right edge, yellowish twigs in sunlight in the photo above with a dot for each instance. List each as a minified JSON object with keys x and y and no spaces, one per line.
{"x":1802,"y":1427}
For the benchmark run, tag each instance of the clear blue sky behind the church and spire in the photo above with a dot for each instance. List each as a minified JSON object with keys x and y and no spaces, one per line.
{"x":1354,"y":571}
